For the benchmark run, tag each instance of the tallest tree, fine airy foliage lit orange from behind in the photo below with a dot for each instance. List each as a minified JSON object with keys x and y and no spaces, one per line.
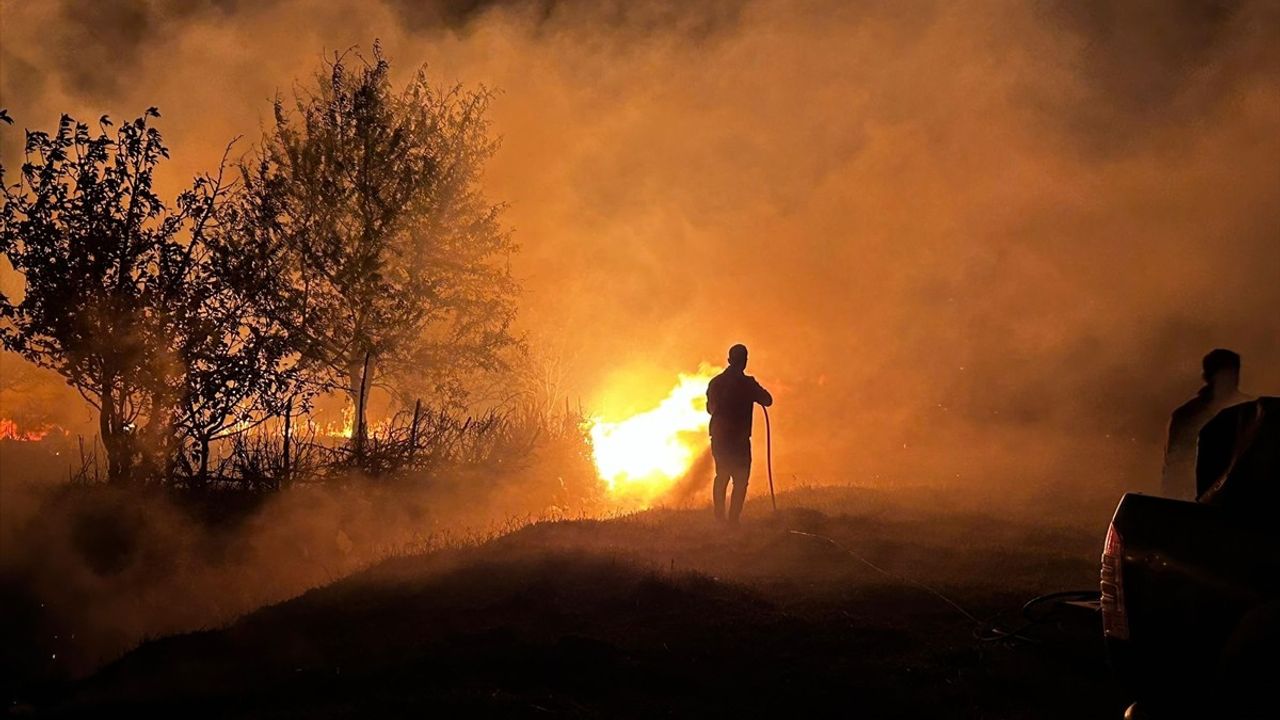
{"x":396,"y":261}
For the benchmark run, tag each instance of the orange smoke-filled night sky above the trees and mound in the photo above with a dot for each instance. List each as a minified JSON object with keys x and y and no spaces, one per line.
{"x":973,"y":243}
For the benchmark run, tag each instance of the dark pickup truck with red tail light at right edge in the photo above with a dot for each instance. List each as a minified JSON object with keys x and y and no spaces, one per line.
{"x":1191,"y":591}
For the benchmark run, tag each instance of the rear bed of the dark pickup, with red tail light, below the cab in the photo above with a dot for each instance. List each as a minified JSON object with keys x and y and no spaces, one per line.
{"x":1187,"y":590}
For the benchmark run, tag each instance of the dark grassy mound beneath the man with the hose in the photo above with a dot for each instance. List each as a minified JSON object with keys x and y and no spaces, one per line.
{"x":661,"y":614}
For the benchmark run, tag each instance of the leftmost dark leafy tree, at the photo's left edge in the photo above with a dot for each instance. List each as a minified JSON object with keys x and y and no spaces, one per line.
{"x":89,"y":234}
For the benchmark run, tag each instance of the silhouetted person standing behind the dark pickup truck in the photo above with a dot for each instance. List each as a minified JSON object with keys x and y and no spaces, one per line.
{"x":1222,"y":373}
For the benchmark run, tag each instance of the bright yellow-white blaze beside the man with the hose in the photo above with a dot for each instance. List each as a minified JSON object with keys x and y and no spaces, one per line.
{"x":642,"y":457}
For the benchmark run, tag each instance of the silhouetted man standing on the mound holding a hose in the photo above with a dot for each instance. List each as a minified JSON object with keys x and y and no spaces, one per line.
{"x":732,"y":398}
